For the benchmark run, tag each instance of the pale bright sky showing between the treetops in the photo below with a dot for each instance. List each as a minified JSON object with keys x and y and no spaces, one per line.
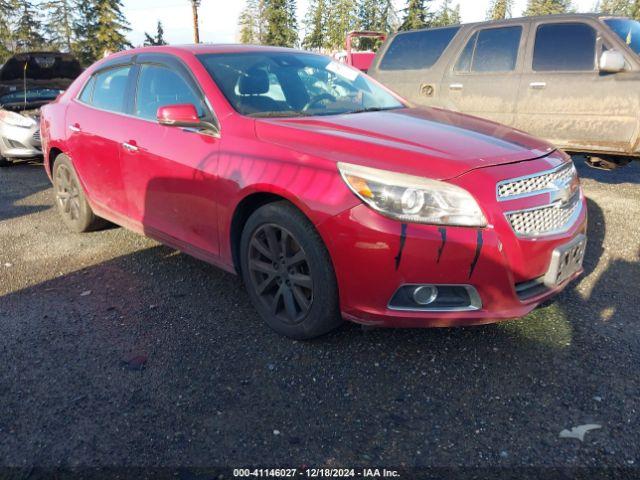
{"x":219,"y":18}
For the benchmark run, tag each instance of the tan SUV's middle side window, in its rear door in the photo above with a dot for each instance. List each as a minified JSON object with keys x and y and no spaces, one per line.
{"x":491,"y":50}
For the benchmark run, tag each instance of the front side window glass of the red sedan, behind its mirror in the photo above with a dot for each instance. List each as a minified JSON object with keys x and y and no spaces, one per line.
{"x":158,"y":87}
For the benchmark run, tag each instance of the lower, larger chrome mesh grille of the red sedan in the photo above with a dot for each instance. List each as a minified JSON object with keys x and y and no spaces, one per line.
{"x":546,"y":220}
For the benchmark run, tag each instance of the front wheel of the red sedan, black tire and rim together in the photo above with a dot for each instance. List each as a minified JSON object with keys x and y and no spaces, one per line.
{"x":294,"y":288}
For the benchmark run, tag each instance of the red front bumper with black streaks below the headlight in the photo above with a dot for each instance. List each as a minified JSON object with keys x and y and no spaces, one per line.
{"x":374,"y":256}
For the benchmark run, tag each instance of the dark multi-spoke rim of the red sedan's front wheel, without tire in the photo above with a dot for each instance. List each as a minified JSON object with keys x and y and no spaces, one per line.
{"x":280,"y":273}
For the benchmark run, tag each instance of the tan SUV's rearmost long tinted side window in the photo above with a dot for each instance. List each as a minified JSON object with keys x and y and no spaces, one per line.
{"x":417,"y":50}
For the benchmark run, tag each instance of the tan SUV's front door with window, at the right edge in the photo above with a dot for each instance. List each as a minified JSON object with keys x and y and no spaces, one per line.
{"x":565,"y":99}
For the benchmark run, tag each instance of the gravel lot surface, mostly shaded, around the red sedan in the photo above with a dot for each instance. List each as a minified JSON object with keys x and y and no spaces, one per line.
{"x":117,"y":351}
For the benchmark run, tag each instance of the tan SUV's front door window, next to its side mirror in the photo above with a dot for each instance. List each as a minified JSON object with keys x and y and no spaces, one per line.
{"x":564,"y":47}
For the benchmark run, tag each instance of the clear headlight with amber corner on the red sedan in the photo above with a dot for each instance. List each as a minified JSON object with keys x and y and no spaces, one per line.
{"x":413,"y":199}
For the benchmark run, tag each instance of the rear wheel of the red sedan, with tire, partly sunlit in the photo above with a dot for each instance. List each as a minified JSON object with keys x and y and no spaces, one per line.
{"x":71,"y":201}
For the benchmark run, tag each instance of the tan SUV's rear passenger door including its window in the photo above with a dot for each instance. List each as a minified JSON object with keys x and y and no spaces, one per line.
{"x":484,"y":78}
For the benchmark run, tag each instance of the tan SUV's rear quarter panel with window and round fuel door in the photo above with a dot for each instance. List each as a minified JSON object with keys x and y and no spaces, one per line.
{"x":411,"y":63}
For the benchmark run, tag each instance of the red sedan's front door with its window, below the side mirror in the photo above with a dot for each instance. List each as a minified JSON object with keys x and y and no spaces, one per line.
{"x":170,"y":173}
